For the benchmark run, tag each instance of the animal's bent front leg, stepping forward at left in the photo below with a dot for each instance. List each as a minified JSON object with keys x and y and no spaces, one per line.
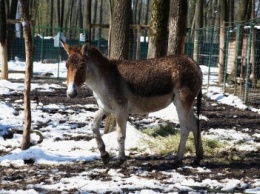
{"x":96,"y":133}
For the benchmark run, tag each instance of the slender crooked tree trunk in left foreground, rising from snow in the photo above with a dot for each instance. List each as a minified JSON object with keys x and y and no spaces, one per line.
{"x":28,"y":72}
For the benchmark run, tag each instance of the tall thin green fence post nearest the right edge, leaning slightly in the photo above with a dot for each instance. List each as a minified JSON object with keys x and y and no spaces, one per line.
{"x":248,"y":61}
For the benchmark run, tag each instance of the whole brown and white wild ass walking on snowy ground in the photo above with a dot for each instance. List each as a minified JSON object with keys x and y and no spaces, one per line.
{"x":126,"y":87}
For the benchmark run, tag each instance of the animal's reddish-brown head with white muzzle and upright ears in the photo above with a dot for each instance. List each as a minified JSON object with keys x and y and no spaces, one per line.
{"x":76,"y":68}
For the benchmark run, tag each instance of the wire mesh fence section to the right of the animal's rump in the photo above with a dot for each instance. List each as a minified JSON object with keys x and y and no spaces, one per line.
{"x":241,"y":65}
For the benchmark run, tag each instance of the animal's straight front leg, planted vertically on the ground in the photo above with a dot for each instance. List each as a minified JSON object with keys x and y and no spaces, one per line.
{"x":121,"y":134}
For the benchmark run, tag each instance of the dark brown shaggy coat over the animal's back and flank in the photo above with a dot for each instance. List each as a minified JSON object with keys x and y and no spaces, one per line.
{"x":155,"y":77}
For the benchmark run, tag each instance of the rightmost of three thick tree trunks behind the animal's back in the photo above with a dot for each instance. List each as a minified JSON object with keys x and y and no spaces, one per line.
{"x":177,"y":26}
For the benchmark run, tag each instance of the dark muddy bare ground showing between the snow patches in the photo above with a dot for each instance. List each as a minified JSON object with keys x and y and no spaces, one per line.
{"x":219,"y":116}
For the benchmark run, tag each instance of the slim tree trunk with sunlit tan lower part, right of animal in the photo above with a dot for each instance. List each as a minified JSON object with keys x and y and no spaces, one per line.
{"x":222,"y":32}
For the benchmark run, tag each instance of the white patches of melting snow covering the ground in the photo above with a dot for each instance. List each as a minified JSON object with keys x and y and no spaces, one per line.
{"x":52,"y":152}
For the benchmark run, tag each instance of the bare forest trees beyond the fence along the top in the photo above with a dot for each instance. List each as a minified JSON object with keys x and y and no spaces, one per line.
{"x":74,"y":13}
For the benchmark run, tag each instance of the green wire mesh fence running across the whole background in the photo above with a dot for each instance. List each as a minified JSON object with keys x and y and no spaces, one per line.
{"x":241,"y":51}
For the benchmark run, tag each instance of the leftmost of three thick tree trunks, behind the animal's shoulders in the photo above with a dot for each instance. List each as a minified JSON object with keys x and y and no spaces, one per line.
{"x":120,"y":29}
